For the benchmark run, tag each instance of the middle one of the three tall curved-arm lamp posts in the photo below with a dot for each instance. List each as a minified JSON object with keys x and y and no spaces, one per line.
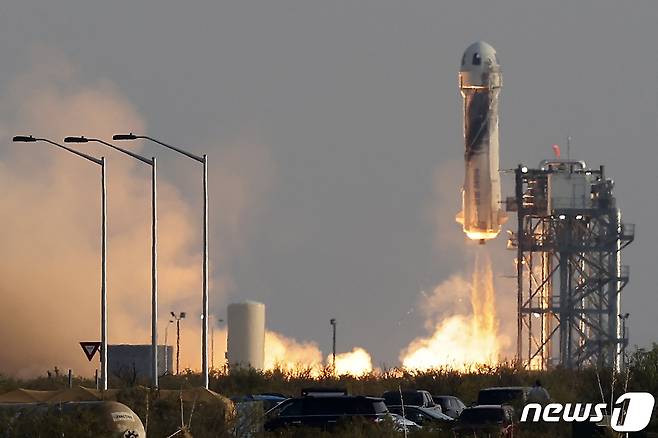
{"x":154,"y":245}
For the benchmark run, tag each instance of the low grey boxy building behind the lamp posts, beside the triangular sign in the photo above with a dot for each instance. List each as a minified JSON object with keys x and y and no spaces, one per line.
{"x":134,"y":361}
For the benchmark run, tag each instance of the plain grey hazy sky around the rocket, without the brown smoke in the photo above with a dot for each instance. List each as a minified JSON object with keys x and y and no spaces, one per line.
{"x":351,"y":118}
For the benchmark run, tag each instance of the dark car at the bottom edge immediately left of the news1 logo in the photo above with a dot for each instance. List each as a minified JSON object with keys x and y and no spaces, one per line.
{"x":487,"y":421}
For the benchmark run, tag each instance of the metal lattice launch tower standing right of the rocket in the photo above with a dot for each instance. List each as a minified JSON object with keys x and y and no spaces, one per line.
{"x":569,"y":273}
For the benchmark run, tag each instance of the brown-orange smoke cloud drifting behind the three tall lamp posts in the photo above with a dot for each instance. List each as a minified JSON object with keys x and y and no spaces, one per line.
{"x":50,"y":262}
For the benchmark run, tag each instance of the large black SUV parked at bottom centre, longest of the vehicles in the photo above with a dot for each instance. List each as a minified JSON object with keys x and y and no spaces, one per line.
{"x":324,"y":411}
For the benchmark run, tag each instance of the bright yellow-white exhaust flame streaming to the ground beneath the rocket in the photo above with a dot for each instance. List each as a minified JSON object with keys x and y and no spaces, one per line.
{"x":462,"y":340}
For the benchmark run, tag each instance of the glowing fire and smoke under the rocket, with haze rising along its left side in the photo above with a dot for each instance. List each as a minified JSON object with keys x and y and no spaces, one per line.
{"x":467,"y":316}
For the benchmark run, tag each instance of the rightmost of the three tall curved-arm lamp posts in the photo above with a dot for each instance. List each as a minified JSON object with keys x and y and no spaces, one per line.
{"x":204,"y":315}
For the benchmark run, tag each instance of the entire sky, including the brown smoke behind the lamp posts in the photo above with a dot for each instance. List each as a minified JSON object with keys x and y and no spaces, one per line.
{"x":334,"y":137}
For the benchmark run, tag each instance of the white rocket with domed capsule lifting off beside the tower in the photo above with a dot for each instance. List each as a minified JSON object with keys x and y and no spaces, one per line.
{"x":480,"y":81}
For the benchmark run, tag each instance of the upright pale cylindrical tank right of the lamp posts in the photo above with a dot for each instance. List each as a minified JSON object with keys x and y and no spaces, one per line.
{"x":246,"y":335}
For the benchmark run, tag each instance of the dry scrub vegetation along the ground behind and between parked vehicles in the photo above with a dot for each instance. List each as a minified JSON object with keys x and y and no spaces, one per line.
{"x":164,"y":417}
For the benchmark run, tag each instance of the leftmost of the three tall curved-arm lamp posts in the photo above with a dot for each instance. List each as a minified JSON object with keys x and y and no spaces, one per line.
{"x":101,"y":162}
